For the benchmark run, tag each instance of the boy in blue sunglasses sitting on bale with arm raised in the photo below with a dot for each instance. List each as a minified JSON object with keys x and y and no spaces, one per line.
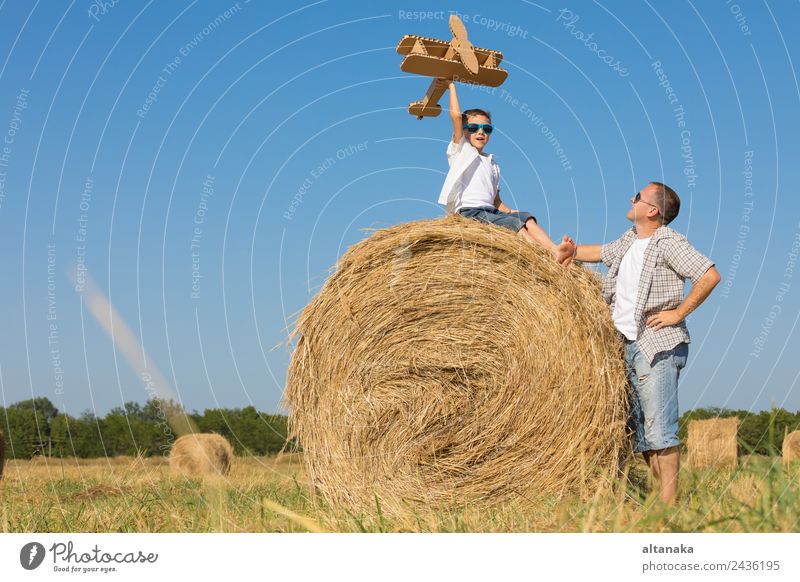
{"x":472,"y":186}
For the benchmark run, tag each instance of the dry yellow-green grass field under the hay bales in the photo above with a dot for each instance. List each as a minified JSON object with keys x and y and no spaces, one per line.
{"x":272,"y":495}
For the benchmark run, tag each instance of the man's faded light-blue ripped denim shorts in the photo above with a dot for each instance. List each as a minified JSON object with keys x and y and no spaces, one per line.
{"x":653,"y":391}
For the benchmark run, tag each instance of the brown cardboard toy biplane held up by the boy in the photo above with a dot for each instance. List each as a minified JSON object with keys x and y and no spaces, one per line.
{"x":456,"y":59}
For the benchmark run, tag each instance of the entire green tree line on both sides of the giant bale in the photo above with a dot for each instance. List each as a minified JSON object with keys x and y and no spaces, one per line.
{"x":36,"y":427}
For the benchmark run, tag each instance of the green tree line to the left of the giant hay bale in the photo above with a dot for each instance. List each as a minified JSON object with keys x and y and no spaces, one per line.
{"x":36,"y":427}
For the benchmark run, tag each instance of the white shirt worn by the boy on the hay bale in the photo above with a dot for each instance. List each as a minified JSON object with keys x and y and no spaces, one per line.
{"x":471,"y":173}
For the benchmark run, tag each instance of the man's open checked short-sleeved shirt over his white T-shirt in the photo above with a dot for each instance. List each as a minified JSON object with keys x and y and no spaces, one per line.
{"x":668,"y":261}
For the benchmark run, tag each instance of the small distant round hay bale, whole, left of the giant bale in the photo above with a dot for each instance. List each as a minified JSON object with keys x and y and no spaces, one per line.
{"x":198,"y":455}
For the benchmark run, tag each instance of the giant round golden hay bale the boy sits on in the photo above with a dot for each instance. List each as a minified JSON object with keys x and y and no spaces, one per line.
{"x":447,"y":361}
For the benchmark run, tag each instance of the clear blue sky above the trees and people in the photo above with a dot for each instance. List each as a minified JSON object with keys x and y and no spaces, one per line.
{"x":282,"y":128}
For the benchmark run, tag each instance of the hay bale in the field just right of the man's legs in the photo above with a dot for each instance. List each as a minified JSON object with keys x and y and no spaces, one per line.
{"x":712,"y":443}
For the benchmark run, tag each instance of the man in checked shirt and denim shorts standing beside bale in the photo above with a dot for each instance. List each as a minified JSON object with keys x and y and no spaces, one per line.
{"x":644,"y":287}
